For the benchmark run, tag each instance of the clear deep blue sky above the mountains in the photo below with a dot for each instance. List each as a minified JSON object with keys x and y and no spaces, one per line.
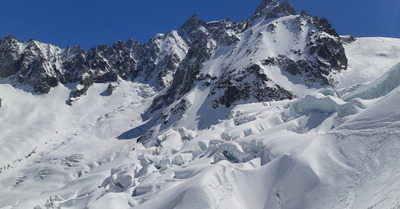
{"x":94,"y":22}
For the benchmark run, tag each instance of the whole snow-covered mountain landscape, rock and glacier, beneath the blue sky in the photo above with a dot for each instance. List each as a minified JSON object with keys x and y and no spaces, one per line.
{"x":277,"y":111}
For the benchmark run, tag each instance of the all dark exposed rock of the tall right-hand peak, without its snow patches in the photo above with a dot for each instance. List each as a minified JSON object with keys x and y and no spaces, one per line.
{"x":322,"y":55}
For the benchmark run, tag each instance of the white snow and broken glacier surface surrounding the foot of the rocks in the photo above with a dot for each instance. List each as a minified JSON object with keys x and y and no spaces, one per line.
{"x":330,"y":148}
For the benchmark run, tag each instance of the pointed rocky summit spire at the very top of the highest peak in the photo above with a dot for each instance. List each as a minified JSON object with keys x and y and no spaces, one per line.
{"x":274,"y":9}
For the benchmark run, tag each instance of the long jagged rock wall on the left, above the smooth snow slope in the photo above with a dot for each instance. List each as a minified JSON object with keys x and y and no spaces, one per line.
{"x":44,"y":66}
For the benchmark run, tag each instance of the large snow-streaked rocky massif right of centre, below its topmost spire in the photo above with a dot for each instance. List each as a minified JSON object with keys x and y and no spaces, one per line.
{"x":265,"y":59}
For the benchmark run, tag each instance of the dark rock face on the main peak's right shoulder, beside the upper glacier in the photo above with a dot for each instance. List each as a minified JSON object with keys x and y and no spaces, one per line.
{"x":323,"y":55}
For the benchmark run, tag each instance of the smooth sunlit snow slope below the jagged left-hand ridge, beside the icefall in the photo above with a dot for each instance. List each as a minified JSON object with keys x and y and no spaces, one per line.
{"x":54,"y":143}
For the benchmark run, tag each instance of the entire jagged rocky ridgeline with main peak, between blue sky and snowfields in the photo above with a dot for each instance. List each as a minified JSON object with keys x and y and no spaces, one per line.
{"x":231,"y":61}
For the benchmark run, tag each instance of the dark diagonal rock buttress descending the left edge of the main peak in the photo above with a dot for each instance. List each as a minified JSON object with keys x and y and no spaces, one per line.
{"x":202,"y":39}
